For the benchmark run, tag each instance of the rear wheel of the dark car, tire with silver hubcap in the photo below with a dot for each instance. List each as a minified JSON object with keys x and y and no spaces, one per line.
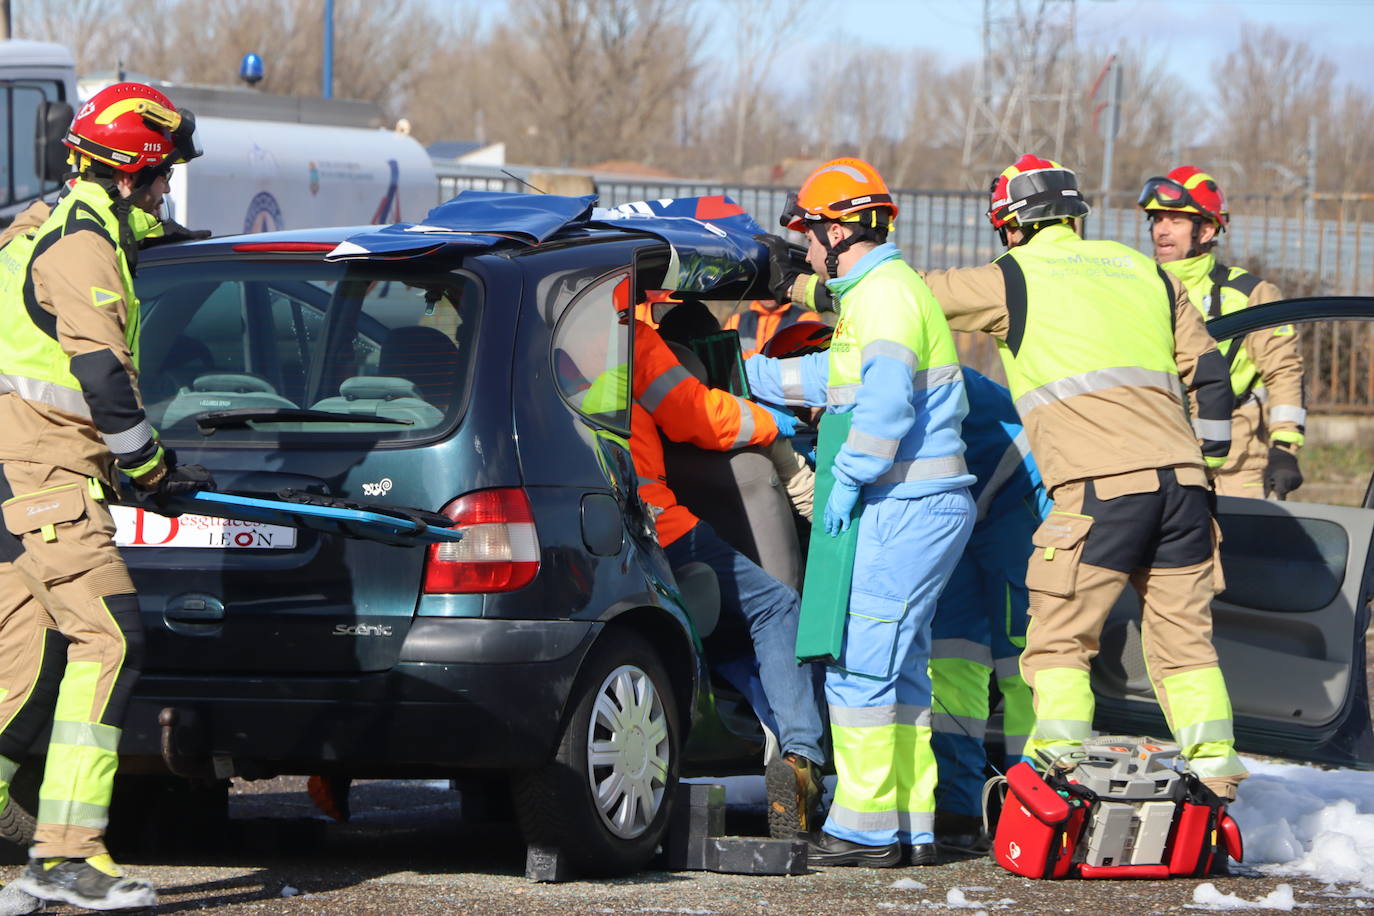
{"x":623,"y":738}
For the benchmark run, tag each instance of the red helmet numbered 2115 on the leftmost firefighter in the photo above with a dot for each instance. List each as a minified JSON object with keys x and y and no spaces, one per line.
{"x":133,"y":127}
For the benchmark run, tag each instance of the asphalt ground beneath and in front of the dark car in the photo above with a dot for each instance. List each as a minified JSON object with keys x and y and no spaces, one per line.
{"x":407,"y":852}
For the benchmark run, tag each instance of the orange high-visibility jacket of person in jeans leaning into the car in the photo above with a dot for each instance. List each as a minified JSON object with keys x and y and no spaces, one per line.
{"x":671,"y":400}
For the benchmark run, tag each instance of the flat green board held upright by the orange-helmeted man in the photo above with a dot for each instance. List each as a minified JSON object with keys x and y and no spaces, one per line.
{"x":831,"y":561}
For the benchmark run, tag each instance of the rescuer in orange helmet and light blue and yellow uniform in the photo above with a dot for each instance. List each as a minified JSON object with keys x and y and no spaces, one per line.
{"x":892,"y":376}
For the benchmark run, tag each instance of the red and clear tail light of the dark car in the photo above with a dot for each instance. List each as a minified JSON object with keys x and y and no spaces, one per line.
{"x":499,"y":551}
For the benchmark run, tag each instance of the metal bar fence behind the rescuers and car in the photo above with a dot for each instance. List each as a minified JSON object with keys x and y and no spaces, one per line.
{"x":1277,"y":237}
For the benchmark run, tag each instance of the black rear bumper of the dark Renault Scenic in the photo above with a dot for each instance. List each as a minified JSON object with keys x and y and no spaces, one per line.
{"x":469,"y":694}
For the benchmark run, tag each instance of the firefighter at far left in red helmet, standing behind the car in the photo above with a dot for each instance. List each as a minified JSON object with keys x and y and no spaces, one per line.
{"x":69,"y":402}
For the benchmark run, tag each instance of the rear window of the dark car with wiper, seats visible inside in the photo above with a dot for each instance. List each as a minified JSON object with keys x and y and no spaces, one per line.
{"x":238,"y":345}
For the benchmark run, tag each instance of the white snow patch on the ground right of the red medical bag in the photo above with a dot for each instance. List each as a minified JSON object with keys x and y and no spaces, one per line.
{"x":1302,"y":821}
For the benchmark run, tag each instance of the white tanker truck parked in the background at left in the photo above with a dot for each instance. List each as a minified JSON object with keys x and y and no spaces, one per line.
{"x":271,"y":163}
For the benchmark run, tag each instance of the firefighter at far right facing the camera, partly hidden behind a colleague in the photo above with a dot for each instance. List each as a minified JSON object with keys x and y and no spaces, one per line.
{"x":1188,"y":215}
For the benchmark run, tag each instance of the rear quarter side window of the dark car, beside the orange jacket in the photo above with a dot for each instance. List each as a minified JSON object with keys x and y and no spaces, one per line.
{"x":592,"y":354}
